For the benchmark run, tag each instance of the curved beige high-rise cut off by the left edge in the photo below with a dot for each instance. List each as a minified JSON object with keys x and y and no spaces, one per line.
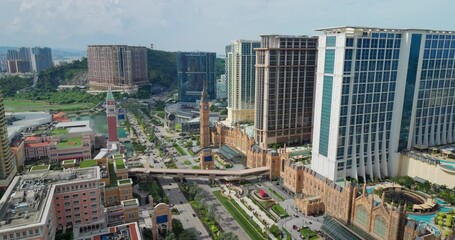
{"x":7,"y":160}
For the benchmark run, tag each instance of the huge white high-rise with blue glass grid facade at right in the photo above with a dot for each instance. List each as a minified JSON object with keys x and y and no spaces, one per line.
{"x":379,"y":92}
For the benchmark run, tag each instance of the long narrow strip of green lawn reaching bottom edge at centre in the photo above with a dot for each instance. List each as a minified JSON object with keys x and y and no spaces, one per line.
{"x":250,"y":227}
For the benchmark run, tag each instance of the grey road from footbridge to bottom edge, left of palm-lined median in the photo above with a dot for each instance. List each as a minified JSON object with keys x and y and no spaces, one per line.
{"x":187,"y":215}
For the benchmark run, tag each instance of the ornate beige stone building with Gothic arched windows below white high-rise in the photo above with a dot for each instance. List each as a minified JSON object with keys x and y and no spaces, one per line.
{"x":349,"y":205}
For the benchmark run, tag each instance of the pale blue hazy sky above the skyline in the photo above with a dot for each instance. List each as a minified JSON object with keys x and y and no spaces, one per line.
{"x":201,"y":25}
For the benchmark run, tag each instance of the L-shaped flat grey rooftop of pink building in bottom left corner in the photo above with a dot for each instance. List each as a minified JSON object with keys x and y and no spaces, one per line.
{"x":27,"y":200}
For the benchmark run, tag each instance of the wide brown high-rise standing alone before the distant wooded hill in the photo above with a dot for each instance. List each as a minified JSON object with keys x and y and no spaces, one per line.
{"x":120,"y":67}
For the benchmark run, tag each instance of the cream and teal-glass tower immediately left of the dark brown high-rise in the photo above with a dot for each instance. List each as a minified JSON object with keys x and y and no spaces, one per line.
{"x":240,"y":77}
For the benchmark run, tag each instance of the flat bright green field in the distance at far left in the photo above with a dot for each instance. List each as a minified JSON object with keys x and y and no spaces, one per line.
{"x":19,"y":105}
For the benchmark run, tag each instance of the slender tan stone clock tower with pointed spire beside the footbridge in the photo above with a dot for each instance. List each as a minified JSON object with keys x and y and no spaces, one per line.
{"x":206,"y":155}
